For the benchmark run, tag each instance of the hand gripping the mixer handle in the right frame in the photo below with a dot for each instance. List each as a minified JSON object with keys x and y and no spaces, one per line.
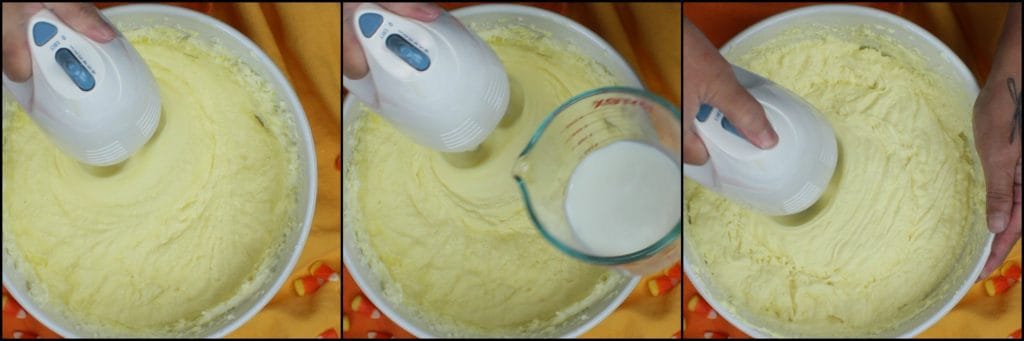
{"x":708,"y":78}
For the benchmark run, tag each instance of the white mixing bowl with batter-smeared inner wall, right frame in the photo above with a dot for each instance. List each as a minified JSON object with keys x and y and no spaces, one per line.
{"x":940,"y":59}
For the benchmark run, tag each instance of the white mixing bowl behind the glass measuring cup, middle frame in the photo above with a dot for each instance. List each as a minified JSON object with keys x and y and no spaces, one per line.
{"x":563,"y":29}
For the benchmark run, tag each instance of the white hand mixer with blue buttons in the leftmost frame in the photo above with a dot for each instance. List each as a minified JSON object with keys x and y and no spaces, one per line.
{"x":99,"y":103}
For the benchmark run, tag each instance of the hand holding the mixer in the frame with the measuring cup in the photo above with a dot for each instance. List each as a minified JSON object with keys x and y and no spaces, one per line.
{"x":355,"y":65}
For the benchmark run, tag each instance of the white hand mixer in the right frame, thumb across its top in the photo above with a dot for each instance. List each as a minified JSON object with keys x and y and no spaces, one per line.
{"x":783,"y":181}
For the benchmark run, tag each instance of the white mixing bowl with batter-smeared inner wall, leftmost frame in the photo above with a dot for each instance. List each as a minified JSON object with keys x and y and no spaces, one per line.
{"x":234,"y":41}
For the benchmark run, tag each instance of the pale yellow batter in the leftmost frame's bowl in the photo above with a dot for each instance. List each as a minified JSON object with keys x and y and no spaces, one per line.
{"x":178,"y":233}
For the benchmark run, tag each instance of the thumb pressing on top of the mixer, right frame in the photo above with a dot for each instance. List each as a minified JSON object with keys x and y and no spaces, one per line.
{"x":743,"y":111}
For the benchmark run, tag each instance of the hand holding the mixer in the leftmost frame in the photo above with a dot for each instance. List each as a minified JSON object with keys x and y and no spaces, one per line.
{"x":82,"y":17}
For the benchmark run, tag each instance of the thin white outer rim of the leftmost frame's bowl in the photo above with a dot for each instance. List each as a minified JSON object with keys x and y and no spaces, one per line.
{"x":305,"y":144}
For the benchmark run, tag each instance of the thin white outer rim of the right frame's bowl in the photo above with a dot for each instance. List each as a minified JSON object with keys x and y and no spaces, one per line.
{"x":966,"y":80}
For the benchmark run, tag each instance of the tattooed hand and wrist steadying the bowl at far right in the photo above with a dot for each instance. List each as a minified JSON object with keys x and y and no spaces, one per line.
{"x":998,"y":139}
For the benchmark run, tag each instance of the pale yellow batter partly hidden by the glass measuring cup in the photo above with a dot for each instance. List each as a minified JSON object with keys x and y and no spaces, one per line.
{"x":452,"y":232}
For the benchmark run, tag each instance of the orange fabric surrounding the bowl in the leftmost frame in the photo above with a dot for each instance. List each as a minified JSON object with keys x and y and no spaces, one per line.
{"x":304,"y":40}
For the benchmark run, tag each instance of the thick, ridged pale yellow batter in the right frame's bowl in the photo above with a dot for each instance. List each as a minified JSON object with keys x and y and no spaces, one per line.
{"x":890,"y":230}
